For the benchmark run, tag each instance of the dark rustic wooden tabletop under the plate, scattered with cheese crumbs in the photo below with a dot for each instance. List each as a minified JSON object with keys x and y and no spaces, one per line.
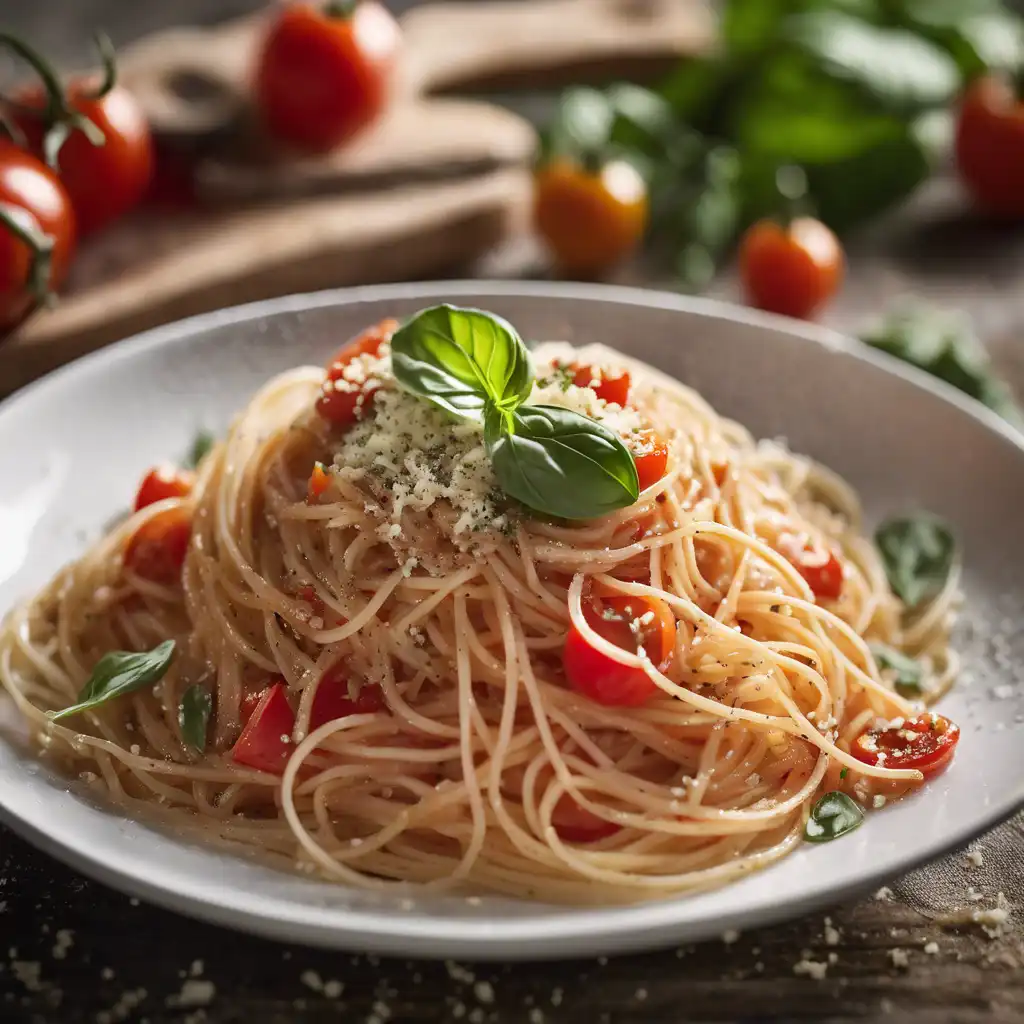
{"x":76,"y":952}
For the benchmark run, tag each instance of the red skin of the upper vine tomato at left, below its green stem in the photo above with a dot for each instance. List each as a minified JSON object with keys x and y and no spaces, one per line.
{"x":104,"y":182}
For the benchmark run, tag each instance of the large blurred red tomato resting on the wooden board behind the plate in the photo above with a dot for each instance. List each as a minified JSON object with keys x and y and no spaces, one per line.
{"x":325,"y":74}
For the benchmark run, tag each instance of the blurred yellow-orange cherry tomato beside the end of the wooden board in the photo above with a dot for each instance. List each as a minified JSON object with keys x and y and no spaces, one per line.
{"x":590,"y":221}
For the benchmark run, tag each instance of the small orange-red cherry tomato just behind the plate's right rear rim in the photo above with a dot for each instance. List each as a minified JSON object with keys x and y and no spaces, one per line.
{"x":791,"y":270}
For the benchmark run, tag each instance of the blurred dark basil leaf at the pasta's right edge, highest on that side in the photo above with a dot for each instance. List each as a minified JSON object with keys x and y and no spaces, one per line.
{"x":918,"y":553}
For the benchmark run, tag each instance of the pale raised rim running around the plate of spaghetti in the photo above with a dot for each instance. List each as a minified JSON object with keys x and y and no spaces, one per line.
{"x":566,"y":932}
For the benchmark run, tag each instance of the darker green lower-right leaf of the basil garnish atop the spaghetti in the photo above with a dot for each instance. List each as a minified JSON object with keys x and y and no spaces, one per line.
{"x":561,"y":463}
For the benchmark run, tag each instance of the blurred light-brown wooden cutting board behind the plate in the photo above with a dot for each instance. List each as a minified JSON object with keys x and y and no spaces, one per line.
{"x":435,"y":186}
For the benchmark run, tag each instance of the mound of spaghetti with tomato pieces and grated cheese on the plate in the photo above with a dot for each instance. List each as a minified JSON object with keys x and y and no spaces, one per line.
{"x":388,"y":669}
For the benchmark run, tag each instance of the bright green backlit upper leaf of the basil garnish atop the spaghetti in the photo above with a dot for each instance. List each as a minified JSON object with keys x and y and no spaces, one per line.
{"x":461,"y":360}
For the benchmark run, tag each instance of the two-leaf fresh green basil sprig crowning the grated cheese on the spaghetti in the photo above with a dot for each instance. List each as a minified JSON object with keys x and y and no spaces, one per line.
{"x":476,"y":366}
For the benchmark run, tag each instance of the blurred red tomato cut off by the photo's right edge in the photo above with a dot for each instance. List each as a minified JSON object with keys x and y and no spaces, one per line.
{"x":991,"y":146}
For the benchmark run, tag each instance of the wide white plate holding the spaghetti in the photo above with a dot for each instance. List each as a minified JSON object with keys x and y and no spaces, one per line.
{"x":72,"y":449}
